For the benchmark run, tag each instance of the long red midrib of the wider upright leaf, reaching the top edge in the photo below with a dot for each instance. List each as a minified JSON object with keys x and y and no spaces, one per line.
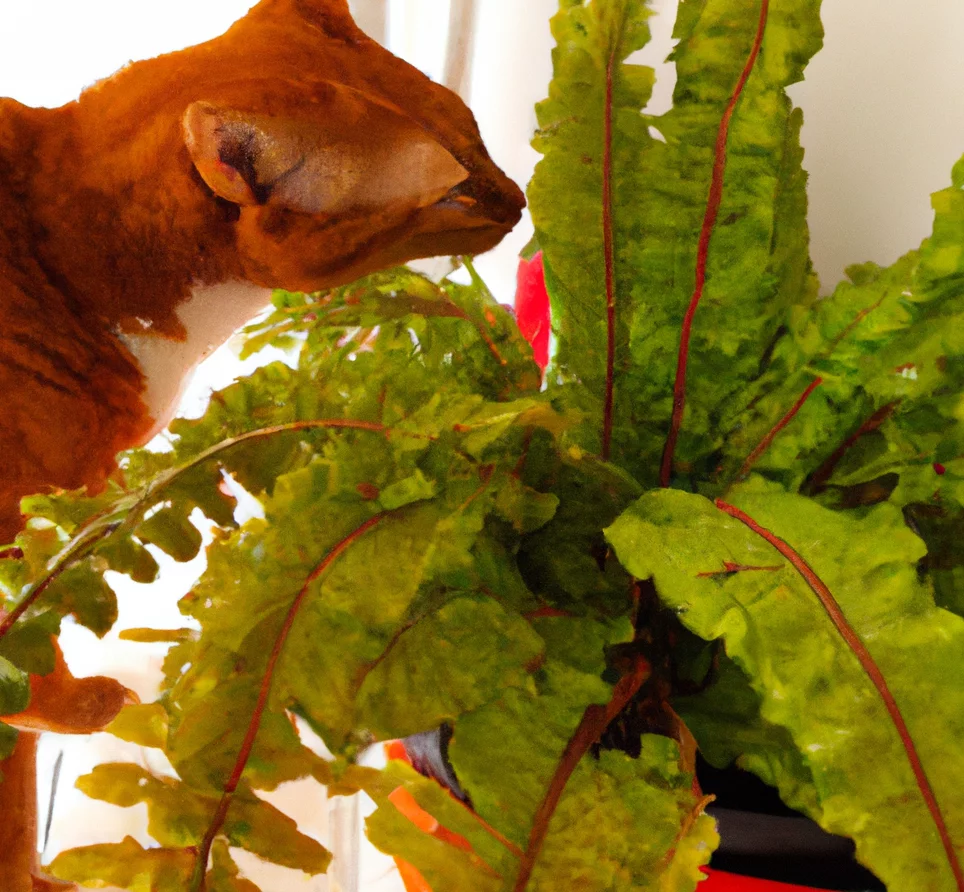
{"x":702,"y":251}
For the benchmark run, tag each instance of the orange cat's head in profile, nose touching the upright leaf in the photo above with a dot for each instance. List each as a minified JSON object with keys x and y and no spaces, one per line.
{"x":340,"y":158}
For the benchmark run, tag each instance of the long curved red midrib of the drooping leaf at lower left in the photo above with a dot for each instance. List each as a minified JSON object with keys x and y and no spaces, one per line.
{"x":217,"y":822}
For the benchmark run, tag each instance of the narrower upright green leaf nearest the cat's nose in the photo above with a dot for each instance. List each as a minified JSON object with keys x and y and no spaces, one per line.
{"x":566,"y":193}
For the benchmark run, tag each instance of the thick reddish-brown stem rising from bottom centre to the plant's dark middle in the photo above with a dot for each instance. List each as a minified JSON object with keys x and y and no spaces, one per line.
{"x":594,"y":721}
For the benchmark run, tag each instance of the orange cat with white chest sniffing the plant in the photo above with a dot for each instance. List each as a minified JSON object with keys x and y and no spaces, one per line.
{"x":147,"y":221}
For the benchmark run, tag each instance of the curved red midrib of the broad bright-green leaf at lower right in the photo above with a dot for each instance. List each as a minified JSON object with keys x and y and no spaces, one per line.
{"x":872,"y":671}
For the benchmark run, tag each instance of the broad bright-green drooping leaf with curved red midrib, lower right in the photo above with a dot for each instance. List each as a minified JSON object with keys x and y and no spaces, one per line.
{"x":812,"y":685}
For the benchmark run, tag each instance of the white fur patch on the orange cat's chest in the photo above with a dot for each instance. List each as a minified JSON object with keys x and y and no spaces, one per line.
{"x":211,"y":315}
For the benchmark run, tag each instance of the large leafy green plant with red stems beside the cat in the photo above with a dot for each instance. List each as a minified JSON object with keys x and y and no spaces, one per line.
{"x":726,"y":521}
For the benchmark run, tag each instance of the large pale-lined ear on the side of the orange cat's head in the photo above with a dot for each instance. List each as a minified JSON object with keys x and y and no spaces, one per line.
{"x":361,"y":157}
